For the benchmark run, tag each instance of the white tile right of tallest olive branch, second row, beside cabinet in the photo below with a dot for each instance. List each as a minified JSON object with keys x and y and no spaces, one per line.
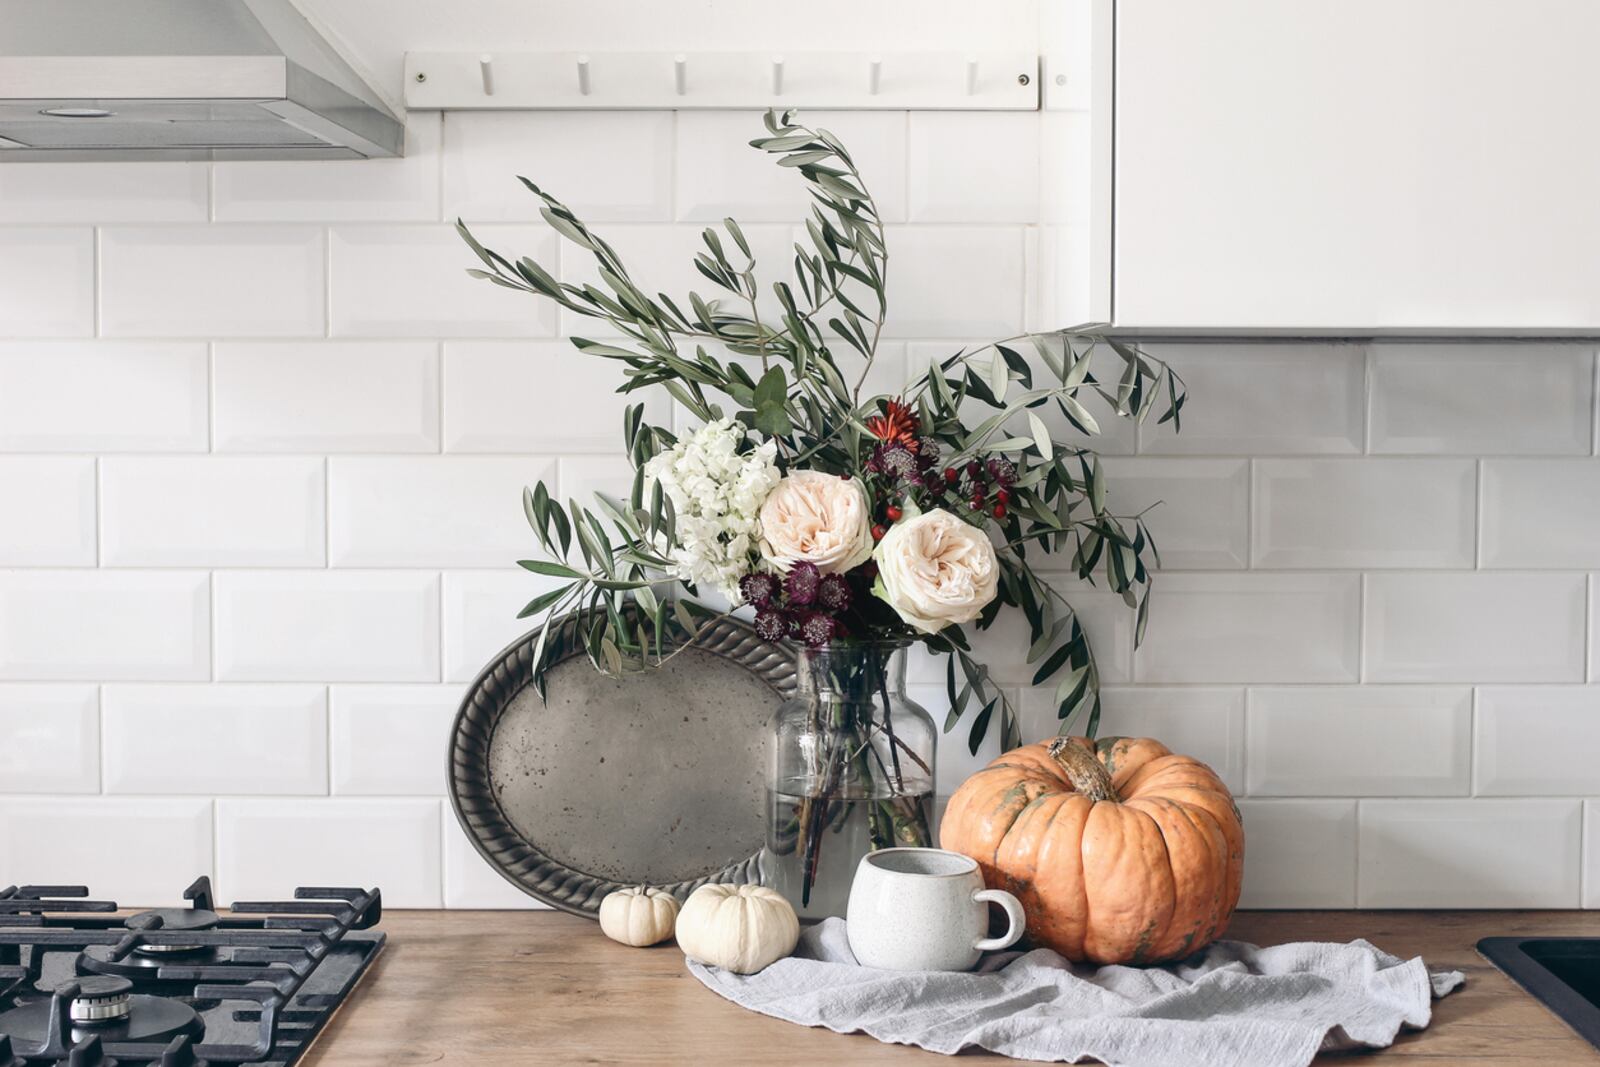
{"x":956,"y":282}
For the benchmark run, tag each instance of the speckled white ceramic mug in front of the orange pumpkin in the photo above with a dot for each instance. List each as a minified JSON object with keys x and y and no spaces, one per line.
{"x":926,"y":909}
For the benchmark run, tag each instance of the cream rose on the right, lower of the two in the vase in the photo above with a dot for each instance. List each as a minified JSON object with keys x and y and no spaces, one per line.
{"x":937,"y":570}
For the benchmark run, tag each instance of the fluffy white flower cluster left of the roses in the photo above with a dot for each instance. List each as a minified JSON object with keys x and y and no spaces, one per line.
{"x":718,"y":497}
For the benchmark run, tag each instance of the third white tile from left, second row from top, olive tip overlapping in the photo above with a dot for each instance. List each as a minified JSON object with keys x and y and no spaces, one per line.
{"x":414,"y":282}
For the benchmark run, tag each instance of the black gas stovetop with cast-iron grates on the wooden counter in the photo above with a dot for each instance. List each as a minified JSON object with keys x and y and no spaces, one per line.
{"x":177,"y":986}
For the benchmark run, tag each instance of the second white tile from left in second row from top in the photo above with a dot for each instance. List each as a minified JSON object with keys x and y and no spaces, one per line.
{"x":212,"y":282}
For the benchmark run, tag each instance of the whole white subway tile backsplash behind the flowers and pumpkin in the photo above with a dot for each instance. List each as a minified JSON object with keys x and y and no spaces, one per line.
{"x":262,"y":446}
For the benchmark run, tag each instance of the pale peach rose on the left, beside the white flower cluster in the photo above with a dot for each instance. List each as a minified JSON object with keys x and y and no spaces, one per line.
{"x":820,"y":519}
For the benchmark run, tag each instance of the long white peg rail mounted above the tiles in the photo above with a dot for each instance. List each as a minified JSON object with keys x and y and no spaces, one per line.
{"x":724,"y":81}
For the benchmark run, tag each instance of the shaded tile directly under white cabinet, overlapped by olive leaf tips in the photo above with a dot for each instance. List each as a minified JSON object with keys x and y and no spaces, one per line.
{"x":1265,"y":399}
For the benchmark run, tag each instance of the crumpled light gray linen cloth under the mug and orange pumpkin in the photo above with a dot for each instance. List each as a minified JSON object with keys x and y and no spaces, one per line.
{"x":1231,"y":1005}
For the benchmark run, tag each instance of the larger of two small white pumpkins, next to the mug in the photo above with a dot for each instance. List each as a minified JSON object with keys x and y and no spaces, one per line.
{"x":738,"y":929}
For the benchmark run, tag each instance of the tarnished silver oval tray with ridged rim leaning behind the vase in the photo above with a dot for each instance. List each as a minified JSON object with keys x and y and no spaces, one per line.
{"x":657,"y":778}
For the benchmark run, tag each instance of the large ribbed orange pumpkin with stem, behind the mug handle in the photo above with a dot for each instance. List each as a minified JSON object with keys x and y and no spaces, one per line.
{"x":1119,"y":850}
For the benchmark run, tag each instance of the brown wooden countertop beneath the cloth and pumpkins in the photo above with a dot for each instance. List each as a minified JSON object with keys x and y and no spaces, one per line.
{"x":546,"y":988}
